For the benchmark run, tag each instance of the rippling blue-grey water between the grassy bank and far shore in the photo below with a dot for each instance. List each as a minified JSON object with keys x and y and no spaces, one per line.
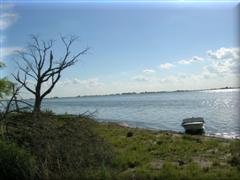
{"x":162,"y":111}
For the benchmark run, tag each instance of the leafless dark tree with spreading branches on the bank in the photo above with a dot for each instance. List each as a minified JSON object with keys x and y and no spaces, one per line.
{"x":40,"y":66}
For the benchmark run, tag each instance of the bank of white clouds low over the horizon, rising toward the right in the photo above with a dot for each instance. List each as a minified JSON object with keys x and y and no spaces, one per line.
{"x":219,"y":72}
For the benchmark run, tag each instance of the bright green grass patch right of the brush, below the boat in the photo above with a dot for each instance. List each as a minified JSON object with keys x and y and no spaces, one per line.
{"x":166,"y":155}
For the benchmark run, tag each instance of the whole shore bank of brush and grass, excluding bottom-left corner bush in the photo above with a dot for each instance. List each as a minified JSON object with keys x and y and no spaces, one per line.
{"x":70,"y":147}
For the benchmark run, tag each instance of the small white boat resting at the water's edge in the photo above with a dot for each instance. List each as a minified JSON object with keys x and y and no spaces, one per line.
{"x":193,"y":124}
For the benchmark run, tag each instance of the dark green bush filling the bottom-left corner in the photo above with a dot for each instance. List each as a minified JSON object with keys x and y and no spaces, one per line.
{"x":16,"y":163}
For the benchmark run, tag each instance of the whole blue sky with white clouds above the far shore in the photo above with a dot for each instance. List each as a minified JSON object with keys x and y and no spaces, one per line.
{"x":134,"y":46}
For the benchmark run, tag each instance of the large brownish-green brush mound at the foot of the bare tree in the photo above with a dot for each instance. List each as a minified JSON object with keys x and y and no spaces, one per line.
{"x":65,"y":147}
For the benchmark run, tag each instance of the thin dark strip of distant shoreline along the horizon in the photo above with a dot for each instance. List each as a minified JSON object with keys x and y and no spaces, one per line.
{"x":139,"y":93}
